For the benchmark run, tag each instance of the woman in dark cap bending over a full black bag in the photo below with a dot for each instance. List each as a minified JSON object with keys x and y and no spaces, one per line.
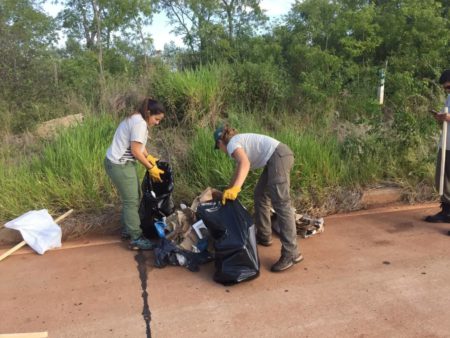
{"x":253,"y":151}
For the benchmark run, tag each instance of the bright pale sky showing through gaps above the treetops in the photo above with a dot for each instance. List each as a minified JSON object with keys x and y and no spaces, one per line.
{"x":160,"y":29}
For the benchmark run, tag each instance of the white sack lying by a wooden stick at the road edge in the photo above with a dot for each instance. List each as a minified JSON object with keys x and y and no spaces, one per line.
{"x":38,"y":229}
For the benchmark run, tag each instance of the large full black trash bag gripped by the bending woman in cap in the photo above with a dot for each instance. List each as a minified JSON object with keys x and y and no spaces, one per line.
{"x":234,"y":234}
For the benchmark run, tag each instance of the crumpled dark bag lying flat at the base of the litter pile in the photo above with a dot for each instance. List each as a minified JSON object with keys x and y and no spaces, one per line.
{"x":166,"y":254}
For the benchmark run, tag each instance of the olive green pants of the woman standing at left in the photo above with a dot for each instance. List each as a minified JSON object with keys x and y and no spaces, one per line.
{"x":125,"y":179}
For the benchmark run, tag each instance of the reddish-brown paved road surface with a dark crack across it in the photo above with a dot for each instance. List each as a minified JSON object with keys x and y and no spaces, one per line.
{"x":382,"y":273}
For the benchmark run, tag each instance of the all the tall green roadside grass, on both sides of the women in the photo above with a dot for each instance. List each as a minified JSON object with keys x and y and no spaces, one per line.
{"x":67,"y":172}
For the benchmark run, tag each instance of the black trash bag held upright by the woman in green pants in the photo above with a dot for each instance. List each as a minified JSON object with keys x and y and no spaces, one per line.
{"x":156,"y":199}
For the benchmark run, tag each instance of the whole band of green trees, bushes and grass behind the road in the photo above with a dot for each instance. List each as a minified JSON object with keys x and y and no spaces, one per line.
{"x":309,"y":80}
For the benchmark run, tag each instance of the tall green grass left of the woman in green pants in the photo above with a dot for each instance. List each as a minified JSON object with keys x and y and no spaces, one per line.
{"x":67,"y":173}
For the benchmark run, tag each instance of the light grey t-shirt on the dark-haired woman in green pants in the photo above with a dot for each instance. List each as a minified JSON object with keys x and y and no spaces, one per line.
{"x":133,"y":128}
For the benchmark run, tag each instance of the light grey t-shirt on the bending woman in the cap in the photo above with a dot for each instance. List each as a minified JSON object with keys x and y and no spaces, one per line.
{"x":259,"y":148}
